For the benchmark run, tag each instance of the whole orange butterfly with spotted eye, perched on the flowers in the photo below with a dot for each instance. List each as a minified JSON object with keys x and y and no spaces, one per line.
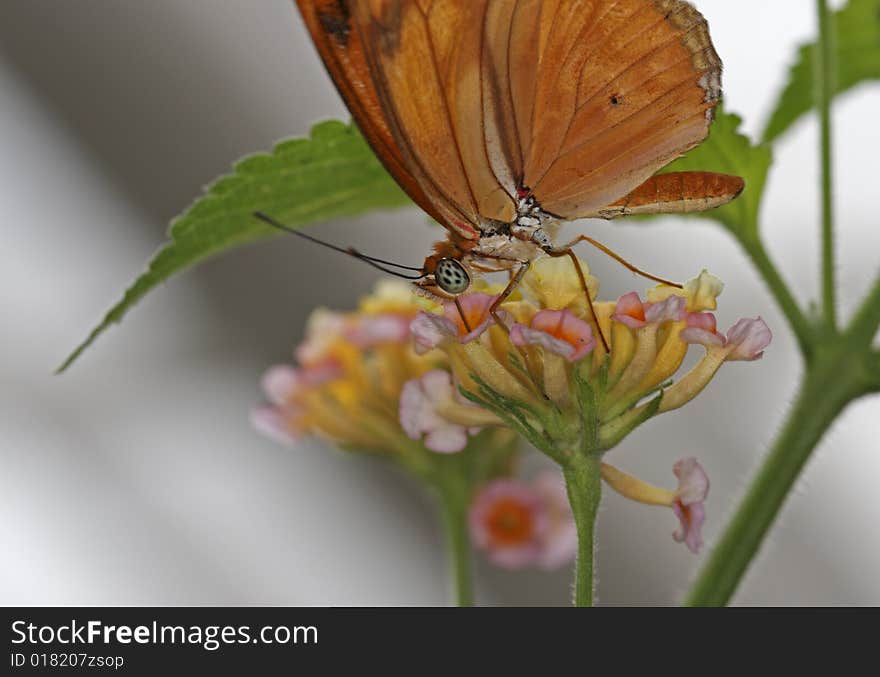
{"x":500,"y":118}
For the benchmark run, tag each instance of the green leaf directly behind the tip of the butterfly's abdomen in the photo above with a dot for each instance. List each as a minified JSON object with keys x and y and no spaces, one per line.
{"x":729,"y":152}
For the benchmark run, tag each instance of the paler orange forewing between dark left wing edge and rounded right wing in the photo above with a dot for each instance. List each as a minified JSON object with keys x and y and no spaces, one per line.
{"x":425,"y":57}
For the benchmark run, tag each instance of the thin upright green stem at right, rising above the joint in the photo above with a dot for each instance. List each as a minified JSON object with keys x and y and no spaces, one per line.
{"x":825,"y":75}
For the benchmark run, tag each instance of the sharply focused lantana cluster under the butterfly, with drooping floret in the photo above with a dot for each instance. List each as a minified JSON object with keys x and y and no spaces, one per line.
{"x":546,"y":374}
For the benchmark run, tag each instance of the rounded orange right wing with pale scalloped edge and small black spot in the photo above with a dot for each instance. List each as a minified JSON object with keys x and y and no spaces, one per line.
{"x":621,"y":88}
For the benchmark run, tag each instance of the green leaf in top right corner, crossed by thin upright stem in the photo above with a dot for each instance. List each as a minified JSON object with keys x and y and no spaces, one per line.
{"x":856,"y":30}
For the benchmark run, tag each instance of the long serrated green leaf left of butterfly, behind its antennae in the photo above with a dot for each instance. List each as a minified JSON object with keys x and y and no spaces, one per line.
{"x":331,"y":174}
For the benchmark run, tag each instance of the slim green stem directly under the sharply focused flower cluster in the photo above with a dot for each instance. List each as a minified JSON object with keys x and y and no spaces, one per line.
{"x":583,"y":481}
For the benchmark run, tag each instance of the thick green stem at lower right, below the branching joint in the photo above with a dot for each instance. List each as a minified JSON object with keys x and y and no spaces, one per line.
{"x":830,"y":384}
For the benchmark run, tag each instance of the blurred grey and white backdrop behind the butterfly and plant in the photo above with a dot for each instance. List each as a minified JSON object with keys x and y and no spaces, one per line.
{"x":135,"y":478}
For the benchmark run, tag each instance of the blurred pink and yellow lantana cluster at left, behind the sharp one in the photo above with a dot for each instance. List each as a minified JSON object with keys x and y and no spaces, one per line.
{"x":352,"y":371}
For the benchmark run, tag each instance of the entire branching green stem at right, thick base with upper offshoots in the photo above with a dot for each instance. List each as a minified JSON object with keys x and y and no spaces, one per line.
{"x":838,"y":372}
